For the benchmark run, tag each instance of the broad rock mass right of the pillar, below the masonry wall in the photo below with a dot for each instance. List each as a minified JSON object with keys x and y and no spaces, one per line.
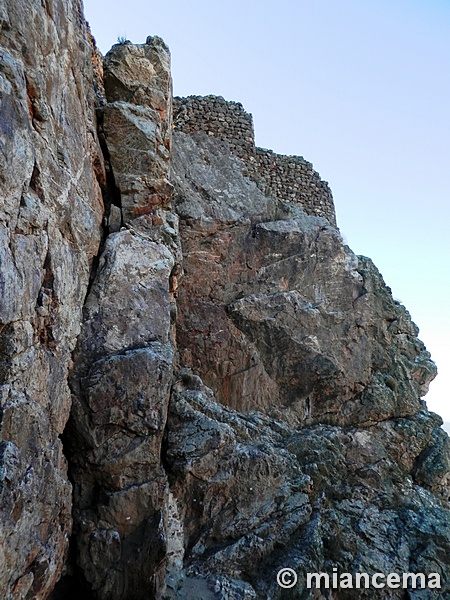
{"x":278,"y":316}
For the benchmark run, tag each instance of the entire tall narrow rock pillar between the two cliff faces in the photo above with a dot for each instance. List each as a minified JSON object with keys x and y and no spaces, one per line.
{"x":123,"y":363}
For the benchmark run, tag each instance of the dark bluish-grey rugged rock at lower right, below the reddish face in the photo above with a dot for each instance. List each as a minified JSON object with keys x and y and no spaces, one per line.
{"x":256,"y":495}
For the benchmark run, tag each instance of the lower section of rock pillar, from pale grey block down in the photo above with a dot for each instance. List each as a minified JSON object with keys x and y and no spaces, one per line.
{"x":121,"y":384}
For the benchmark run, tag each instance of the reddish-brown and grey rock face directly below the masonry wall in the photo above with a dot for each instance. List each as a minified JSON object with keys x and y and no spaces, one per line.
{"x":276,"y":313}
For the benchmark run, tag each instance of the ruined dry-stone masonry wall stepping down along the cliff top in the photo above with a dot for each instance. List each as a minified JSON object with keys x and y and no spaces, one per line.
{"x":287,"y":177}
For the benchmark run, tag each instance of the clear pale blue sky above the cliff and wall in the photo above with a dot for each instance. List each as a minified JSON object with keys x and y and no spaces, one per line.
{"x":361,"y":88}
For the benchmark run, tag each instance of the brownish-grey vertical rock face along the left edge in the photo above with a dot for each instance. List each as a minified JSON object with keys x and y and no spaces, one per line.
{"x":50,"y":215}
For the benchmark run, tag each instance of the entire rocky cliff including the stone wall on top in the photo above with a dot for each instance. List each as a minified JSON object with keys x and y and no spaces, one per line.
{"x":200,"y":382}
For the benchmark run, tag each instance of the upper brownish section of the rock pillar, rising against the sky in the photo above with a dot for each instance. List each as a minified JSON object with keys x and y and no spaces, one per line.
{"x":137,"y":123}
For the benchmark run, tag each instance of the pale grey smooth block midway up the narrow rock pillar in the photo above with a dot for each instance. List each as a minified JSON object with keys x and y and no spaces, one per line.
{"x":128,"y":305}
